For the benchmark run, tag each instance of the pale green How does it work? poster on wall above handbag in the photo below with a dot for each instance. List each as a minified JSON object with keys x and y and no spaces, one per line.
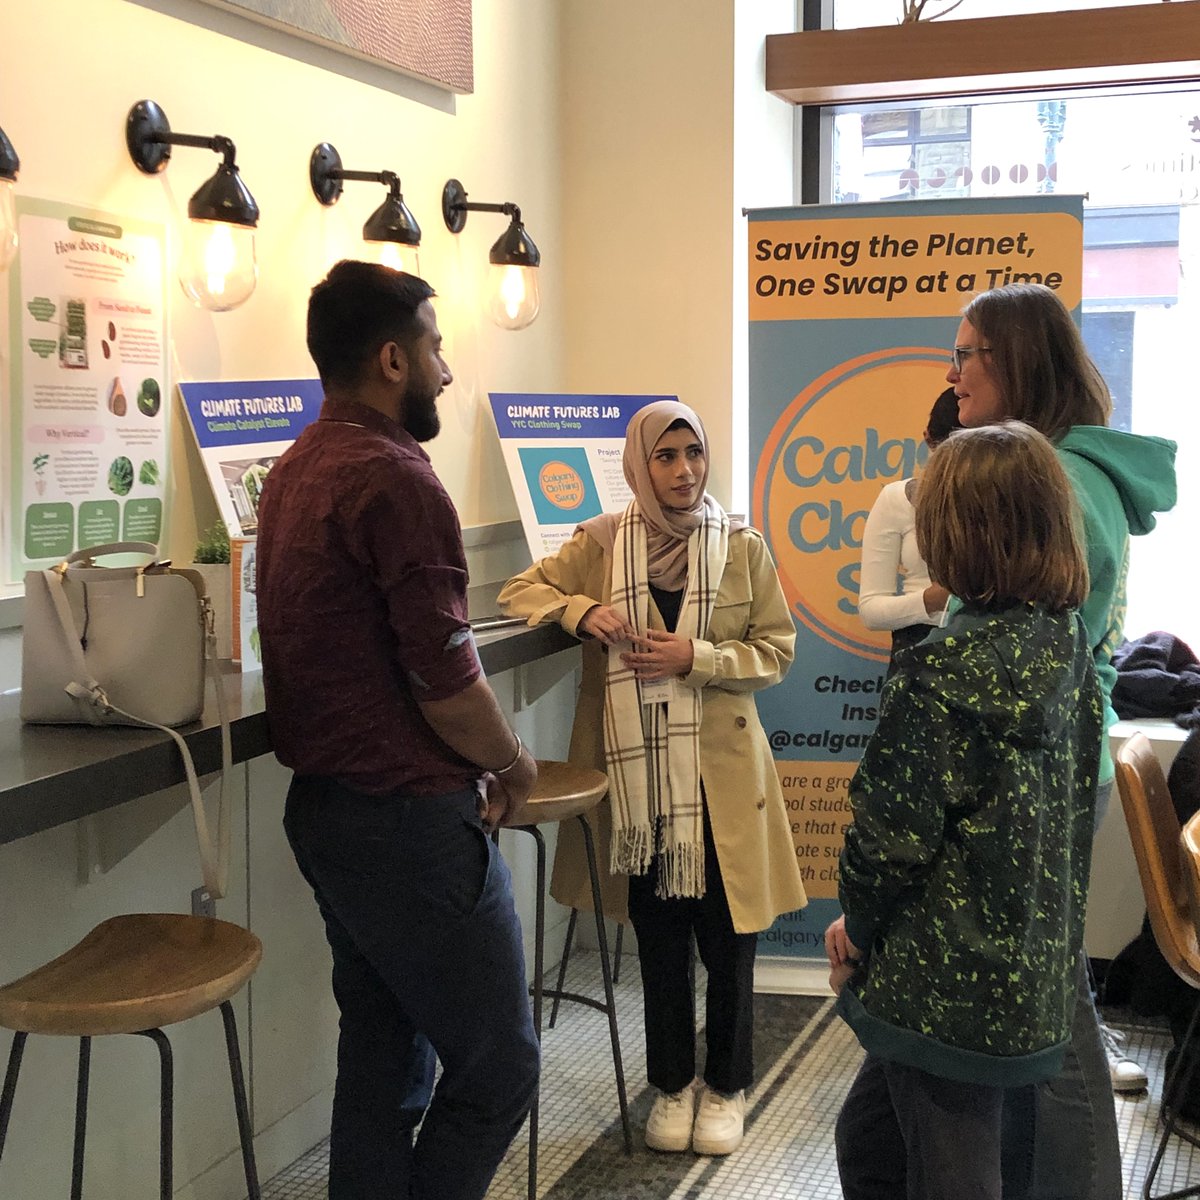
{"x":88,"y":429}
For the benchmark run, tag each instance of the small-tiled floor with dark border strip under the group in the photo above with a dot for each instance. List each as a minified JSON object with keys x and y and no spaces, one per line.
{"x":806,"y":1061}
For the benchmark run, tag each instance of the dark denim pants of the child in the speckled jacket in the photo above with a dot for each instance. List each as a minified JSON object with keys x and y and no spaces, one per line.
{"x":904,"y":1133}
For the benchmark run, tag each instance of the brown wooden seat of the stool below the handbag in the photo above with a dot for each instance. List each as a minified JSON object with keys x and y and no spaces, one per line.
{"x":135,"y":973}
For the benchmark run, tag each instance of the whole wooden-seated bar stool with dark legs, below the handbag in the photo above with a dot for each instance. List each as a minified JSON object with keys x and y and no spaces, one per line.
{"x":135,"y":975}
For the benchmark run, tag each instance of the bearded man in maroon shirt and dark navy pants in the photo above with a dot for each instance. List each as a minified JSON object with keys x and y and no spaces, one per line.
{"x":403,"y":759}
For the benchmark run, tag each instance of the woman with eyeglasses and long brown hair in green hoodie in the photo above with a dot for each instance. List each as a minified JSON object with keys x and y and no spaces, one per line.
{"x":1018,"y":355}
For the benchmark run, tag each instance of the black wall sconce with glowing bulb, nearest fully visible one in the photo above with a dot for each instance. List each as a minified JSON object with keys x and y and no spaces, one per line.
{"x":218,"y":268}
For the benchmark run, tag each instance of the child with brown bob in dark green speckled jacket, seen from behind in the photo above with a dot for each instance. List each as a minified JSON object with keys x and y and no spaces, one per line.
{"x":964,"y":875}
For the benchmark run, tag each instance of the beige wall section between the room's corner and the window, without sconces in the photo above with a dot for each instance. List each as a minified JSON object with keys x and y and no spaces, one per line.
{"x":668,"y":134}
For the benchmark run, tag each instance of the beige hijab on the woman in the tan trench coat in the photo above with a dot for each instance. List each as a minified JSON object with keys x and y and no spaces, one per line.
{"x":669,"y":530}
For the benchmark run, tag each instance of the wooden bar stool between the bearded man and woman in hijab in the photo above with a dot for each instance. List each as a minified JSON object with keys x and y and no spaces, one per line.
{"x":565,"y":791}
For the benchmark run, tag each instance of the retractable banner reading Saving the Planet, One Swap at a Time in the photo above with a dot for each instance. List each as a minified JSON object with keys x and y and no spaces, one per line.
{"x":854,"y":311}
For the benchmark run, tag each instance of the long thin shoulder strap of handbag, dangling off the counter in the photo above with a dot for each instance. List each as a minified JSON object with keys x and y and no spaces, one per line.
{"x":95,"y":705}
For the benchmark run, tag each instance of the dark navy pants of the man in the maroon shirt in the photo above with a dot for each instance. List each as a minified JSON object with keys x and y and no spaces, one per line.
{"x":428,"y":962}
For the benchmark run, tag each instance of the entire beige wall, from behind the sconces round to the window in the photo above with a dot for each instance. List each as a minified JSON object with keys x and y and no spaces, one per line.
{"x":631,"y":134}
